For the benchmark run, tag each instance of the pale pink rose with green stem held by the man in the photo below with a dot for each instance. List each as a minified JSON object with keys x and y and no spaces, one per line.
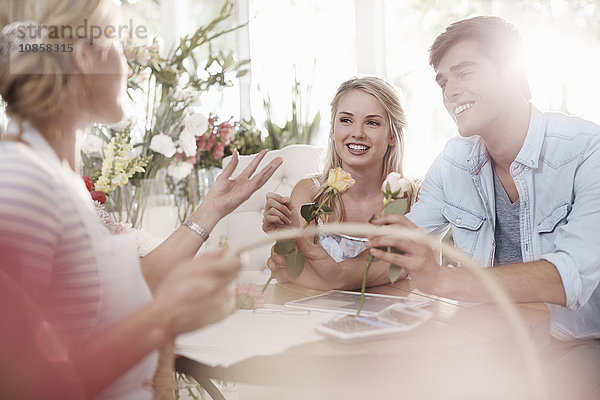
{"x":396,"y":200}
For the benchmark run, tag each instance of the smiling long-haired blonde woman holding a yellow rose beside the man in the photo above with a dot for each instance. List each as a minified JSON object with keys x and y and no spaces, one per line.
{"x":367,"y":122}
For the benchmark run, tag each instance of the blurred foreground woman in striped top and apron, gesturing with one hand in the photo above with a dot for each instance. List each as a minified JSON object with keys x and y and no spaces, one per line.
{"x":91,"y":324}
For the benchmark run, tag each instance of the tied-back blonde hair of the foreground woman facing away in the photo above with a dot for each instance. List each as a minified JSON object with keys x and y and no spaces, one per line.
{"x":32,"y":84}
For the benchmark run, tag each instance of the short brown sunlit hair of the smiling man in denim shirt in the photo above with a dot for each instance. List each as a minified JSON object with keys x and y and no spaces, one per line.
{"x":499,"y":40}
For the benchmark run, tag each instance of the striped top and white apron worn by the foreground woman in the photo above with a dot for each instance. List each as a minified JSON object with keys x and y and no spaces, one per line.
{"x":54,"y":245}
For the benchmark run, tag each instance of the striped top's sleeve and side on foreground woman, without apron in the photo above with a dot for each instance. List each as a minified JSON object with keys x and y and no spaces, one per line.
{"x":43,"y":236}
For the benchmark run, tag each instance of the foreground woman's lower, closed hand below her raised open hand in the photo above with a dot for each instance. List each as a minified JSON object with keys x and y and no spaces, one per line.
{"x":198,"y":292}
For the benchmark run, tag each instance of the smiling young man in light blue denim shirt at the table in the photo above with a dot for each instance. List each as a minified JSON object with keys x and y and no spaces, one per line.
{"x":519,"y":188}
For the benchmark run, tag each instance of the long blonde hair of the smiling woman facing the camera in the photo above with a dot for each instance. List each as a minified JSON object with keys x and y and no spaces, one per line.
{"x":393,"y":160}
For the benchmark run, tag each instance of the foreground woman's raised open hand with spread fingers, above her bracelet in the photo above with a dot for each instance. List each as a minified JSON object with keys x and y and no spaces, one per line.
{"x":226,"y":194}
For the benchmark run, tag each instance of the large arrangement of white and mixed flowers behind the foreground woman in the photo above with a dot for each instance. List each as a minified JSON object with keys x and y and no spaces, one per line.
{"x":167,"y":135}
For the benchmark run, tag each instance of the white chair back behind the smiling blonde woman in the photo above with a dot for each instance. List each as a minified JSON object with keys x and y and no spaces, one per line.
{"x":244,"y":223}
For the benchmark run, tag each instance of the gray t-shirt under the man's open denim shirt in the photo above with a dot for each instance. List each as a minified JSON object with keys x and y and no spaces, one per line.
{"x":507,"y":232}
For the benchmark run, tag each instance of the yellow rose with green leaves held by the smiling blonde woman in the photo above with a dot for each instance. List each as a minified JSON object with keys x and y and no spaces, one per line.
{"x":338,"y":181}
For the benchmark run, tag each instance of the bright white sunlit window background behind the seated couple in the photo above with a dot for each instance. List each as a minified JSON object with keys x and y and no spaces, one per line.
{"x":321,"y":43}
